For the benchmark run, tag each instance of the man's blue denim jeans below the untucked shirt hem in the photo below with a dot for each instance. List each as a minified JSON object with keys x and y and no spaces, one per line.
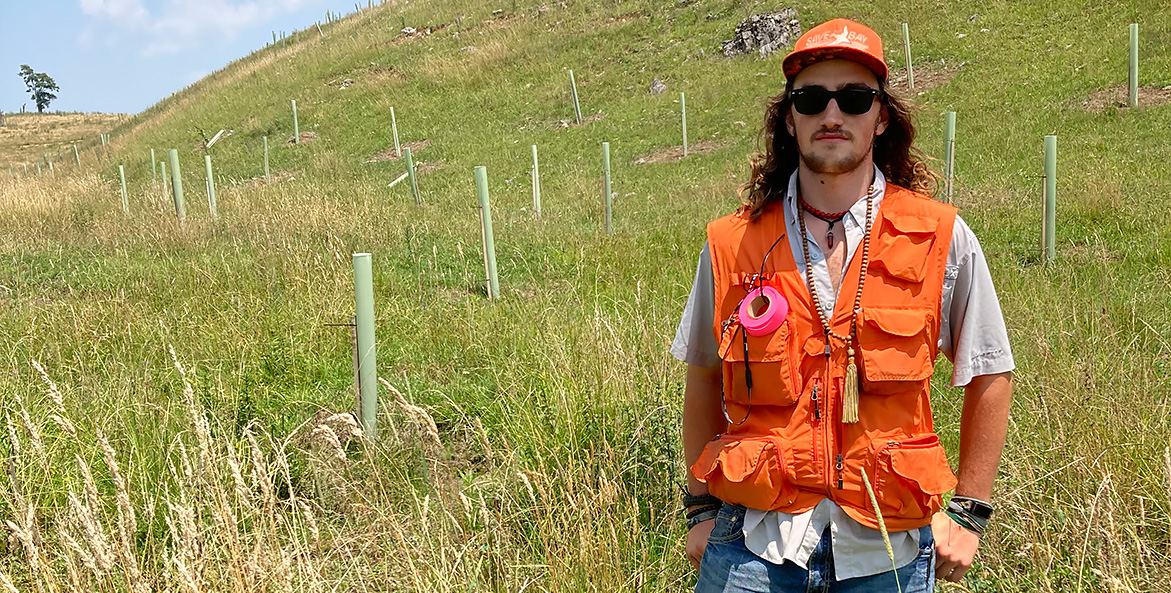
{"x":731,"y":568}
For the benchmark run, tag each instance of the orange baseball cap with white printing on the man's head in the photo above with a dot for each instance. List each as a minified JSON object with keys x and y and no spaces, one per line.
{"x":839,"y":38}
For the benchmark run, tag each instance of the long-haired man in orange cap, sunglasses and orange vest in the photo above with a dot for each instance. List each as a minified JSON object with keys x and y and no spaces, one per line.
{"x":811,"y":335}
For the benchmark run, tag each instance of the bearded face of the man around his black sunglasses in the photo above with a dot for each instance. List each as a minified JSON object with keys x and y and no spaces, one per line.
{"x":834,"y":142}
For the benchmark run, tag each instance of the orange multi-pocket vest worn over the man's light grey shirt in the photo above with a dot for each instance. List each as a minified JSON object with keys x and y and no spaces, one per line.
{"x":793,"y":451}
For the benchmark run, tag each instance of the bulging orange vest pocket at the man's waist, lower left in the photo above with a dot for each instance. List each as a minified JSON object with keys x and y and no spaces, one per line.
{"x":749,"y":472}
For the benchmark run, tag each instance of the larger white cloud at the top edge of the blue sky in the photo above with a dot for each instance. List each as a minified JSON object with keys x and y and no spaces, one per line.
{"x":181,"y":24}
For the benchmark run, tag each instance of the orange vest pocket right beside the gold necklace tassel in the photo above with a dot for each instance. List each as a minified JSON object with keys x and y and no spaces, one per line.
{"x":896,"y":349}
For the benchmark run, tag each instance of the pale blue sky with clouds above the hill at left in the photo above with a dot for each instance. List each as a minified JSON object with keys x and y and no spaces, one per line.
{"x":126,"y":56}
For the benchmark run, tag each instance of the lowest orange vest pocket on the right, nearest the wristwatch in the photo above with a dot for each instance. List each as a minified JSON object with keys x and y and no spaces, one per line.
{"x":910,"y":476}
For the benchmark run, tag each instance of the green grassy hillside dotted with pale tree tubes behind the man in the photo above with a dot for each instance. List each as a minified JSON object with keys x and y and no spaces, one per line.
{"x":532,"y":444}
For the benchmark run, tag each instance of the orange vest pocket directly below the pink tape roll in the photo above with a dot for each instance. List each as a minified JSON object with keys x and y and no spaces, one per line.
{"x":775,"y":372}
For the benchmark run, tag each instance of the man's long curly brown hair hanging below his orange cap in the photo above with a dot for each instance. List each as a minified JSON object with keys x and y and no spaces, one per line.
{"x":894,"y":153}
